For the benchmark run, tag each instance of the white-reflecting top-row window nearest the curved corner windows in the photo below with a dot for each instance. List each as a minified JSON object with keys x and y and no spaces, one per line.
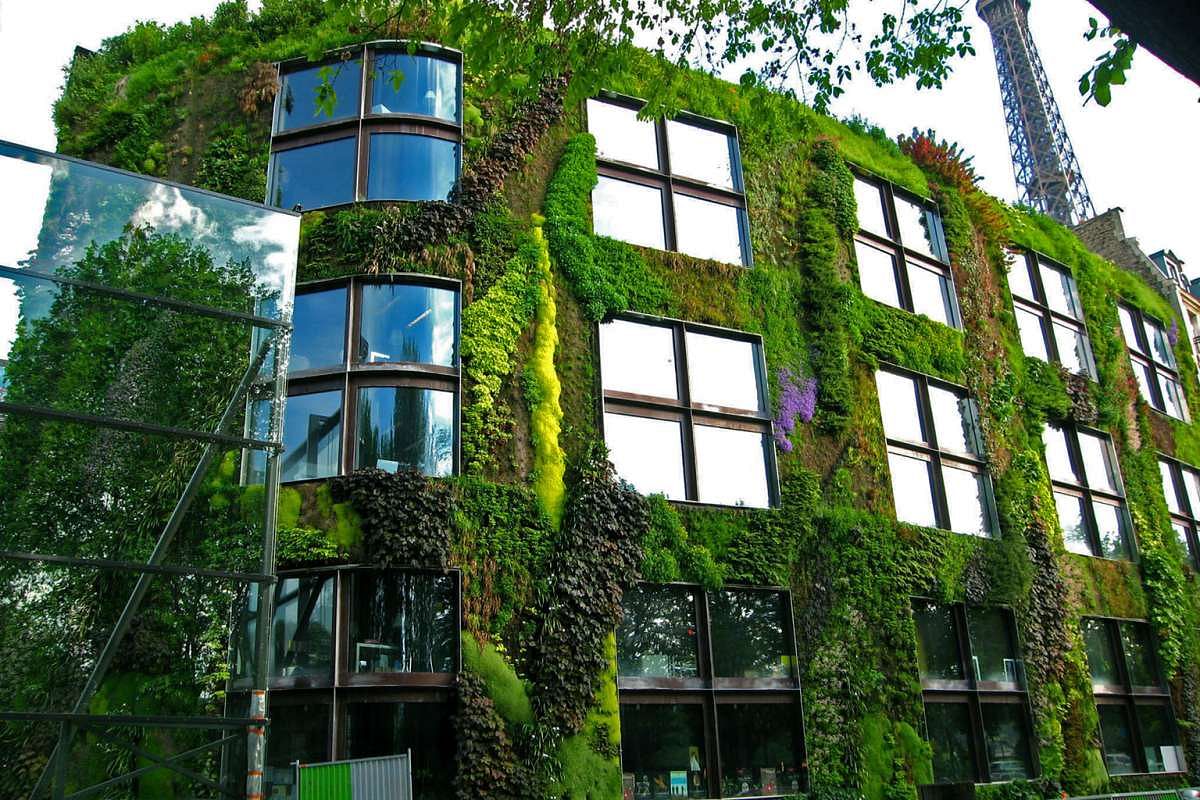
{"x":669,"y":185}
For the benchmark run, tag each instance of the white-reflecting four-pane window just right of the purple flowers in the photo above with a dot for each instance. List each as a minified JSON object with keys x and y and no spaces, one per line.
{"x":935,"y":454}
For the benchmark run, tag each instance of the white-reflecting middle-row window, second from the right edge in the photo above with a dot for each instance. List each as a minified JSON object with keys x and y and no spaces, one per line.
{"x":1089,"y":495}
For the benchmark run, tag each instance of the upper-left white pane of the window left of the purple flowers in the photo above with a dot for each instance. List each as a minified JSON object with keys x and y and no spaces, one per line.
{"x":638,"y":359}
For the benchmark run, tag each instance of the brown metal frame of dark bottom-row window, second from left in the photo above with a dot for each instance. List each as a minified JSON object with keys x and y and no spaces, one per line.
{"x":711,"y":693}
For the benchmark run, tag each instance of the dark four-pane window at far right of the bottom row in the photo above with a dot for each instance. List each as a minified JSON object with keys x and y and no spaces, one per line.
{"x":1137,"y":721}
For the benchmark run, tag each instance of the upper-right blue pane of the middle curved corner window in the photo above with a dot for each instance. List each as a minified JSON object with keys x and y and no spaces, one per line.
{"x":407,"y":323}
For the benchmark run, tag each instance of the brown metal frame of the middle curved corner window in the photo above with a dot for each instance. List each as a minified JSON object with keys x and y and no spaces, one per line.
{"x":351,"y":376}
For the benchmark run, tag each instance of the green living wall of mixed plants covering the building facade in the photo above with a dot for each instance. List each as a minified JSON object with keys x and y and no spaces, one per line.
{"x":537,"y":506}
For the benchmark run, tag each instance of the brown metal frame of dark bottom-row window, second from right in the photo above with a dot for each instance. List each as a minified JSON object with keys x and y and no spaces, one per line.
{"x":976,"y":694}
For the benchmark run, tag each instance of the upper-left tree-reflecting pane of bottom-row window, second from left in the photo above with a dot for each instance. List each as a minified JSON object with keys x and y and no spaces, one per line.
{"x":657,"y":637}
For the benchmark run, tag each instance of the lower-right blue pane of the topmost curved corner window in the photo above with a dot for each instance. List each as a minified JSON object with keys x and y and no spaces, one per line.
{"x":410,"y":167}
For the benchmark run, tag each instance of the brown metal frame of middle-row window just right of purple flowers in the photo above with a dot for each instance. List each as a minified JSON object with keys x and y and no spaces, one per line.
{"x":932,"y":453}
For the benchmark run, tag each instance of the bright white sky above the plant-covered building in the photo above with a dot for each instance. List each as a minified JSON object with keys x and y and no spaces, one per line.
{"x":1138,"y":154}
